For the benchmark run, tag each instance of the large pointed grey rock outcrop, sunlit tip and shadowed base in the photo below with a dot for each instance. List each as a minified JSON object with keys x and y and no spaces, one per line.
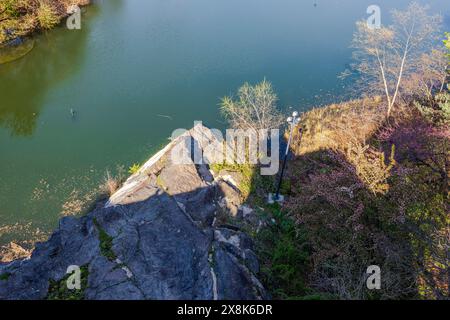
{"x":154,"y":239}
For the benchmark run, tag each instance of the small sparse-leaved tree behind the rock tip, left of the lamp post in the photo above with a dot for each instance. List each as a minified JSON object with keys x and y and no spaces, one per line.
{"x":255,"y":107}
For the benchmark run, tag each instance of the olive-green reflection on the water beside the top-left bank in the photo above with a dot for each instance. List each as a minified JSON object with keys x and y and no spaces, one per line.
{"x":24,"y":83}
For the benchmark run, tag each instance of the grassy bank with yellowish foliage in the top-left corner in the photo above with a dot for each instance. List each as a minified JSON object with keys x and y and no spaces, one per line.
{"x":22,"y":17}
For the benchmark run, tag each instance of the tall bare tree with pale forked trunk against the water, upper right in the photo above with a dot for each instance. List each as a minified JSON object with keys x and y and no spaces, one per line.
{"x":384,"y":57}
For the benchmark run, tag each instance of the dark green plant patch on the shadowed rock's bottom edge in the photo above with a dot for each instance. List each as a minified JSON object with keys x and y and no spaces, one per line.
{"x":58,"y":290}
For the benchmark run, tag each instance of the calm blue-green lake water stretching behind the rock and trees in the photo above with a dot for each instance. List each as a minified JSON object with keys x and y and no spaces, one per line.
{"x":138,"y":70}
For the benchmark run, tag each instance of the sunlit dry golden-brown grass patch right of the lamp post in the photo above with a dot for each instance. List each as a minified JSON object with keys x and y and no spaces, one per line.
{"x":346,"y":128}
